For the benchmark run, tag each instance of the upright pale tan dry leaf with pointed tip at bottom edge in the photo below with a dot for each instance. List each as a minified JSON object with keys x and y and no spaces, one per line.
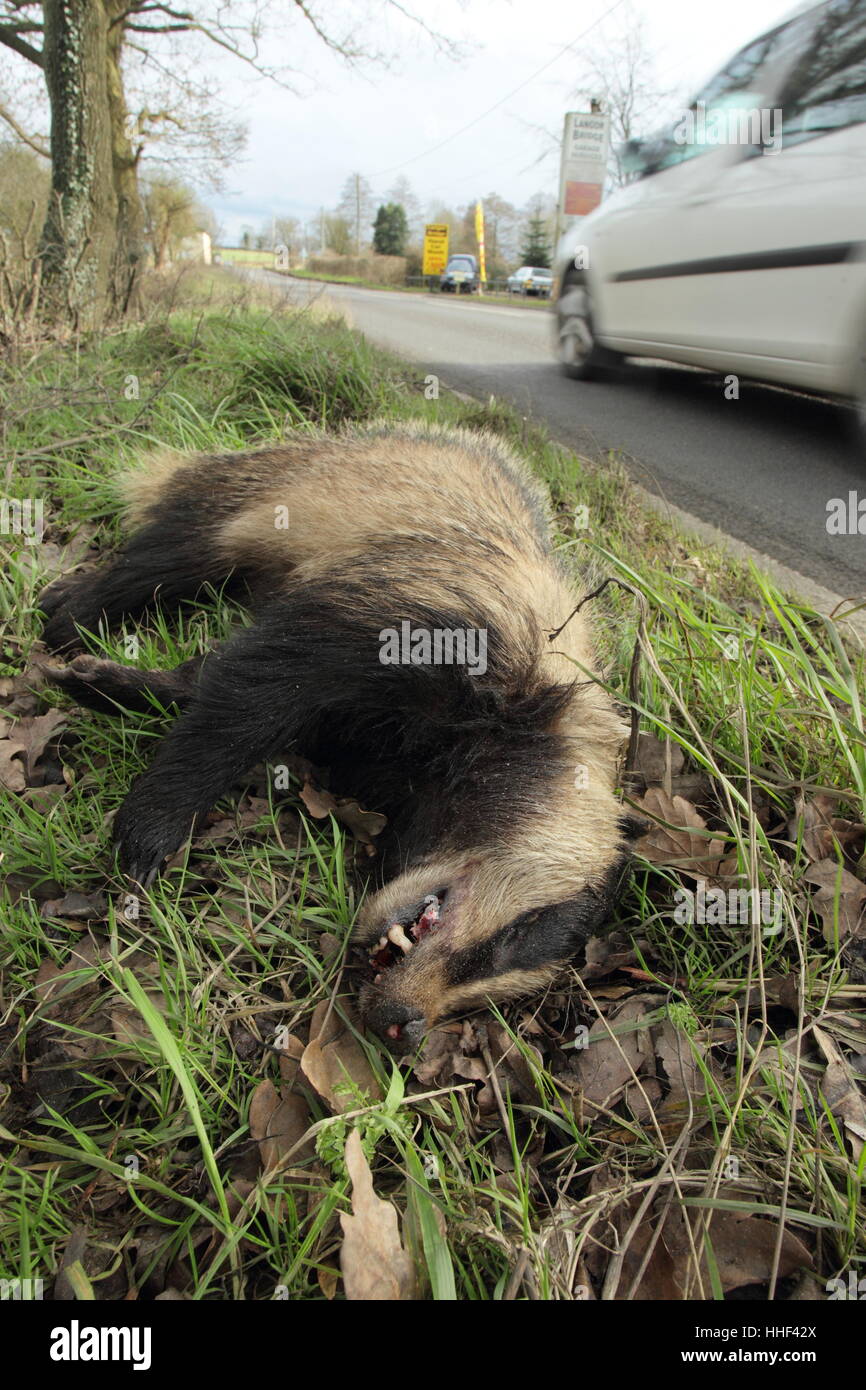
{"x":375,"y":1264}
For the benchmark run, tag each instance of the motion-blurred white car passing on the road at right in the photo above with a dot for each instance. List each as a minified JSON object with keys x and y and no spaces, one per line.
{"x":742,"y":244}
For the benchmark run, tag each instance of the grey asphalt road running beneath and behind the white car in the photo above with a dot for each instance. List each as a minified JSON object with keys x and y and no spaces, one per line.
{"x":761,"y":469}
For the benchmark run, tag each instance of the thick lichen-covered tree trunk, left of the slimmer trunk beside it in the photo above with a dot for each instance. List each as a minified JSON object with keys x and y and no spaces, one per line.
{"x":80,"y":234}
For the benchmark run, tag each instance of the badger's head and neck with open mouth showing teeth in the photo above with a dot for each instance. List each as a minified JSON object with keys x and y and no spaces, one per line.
{"x":509,"y":860}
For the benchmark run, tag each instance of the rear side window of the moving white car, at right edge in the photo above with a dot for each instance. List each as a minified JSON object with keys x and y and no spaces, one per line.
{"x":826,"y":90}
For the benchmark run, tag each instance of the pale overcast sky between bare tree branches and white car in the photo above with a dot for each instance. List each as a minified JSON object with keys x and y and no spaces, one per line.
{"x":386,"y":122}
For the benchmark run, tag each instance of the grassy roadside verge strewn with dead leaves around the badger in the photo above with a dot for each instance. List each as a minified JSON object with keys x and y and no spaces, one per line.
{"x":158,"y":1129}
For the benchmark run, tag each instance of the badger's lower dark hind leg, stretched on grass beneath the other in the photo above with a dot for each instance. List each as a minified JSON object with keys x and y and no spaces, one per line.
{"x":112,"y":689}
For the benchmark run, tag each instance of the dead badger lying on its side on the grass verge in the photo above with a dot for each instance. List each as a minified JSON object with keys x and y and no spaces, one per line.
{"x":405,"y":590}
